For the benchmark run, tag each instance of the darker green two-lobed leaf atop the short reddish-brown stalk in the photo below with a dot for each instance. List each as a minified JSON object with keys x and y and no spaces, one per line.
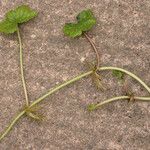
{"x":86,"y":21}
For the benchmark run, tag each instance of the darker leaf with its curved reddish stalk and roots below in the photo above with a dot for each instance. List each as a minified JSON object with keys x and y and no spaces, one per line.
{"x":85,"y":21}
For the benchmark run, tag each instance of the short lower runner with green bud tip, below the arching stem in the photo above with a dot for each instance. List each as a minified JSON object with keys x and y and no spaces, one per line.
{"x":95,"y":106}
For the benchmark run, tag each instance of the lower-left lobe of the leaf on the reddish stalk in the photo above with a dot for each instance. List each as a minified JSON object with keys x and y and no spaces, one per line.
{"x":72,"y":30}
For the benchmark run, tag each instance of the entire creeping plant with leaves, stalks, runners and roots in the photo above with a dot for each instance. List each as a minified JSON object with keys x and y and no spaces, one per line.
{"x":85,"y":21}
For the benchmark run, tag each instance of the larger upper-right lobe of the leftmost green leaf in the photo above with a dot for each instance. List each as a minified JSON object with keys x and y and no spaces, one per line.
{"x":21,"y":14}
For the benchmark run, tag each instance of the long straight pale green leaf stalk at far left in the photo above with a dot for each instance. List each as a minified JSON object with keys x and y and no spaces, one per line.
{"x":21,"y":68}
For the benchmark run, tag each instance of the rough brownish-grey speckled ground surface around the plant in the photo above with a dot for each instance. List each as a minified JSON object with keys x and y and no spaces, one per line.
{"x":122,"y":35}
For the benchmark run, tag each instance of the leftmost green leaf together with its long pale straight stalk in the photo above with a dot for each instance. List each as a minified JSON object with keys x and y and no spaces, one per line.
{"x":10,"y":24}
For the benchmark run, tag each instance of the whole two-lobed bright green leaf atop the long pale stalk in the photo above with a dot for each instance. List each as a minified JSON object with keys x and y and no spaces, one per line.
{"x":14,"y":17}
